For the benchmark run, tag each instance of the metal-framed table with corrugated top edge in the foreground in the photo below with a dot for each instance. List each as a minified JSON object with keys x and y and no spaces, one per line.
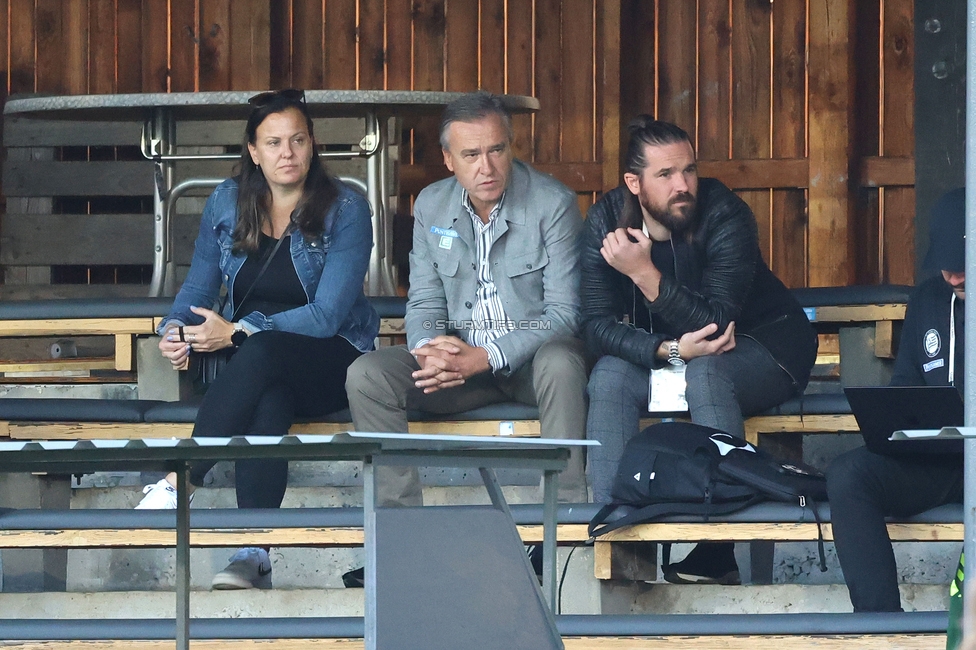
{"x":484,"y":453}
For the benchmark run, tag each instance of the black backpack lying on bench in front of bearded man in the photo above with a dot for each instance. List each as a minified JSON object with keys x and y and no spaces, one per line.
{"x":679,"y":468}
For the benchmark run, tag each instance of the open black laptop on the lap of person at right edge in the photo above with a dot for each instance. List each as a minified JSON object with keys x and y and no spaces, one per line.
{"x":882,"y":410}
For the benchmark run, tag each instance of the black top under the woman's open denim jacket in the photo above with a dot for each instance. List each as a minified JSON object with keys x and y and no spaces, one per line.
{"x":279,"y":289}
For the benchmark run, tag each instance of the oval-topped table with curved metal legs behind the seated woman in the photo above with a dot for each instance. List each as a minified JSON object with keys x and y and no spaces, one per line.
{"x":159,"y":139}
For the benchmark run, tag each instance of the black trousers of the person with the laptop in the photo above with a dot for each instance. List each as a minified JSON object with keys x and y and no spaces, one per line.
{"x":864,"y":488}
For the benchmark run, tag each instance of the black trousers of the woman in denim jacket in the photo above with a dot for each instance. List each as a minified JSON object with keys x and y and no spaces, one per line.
{"x":273,"y":377}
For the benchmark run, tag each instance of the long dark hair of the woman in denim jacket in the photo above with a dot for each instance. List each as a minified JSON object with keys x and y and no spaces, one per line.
{"x":254,"y":194}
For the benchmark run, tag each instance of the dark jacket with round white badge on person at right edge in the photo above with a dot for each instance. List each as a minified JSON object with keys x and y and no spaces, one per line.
{"x":923,"y":353}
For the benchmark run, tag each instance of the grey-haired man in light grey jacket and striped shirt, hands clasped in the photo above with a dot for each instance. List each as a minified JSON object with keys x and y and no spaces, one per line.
{"x":493,"y":307}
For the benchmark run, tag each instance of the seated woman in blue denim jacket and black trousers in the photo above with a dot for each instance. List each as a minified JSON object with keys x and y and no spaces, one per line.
{"x":291,"y":246}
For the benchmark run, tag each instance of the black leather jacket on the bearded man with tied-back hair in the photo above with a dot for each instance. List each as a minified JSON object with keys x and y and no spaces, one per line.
{"x":712,"y":274}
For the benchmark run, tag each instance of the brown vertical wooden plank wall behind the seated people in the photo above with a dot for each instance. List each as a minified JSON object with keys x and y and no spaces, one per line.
{"x":828,"y":171}
